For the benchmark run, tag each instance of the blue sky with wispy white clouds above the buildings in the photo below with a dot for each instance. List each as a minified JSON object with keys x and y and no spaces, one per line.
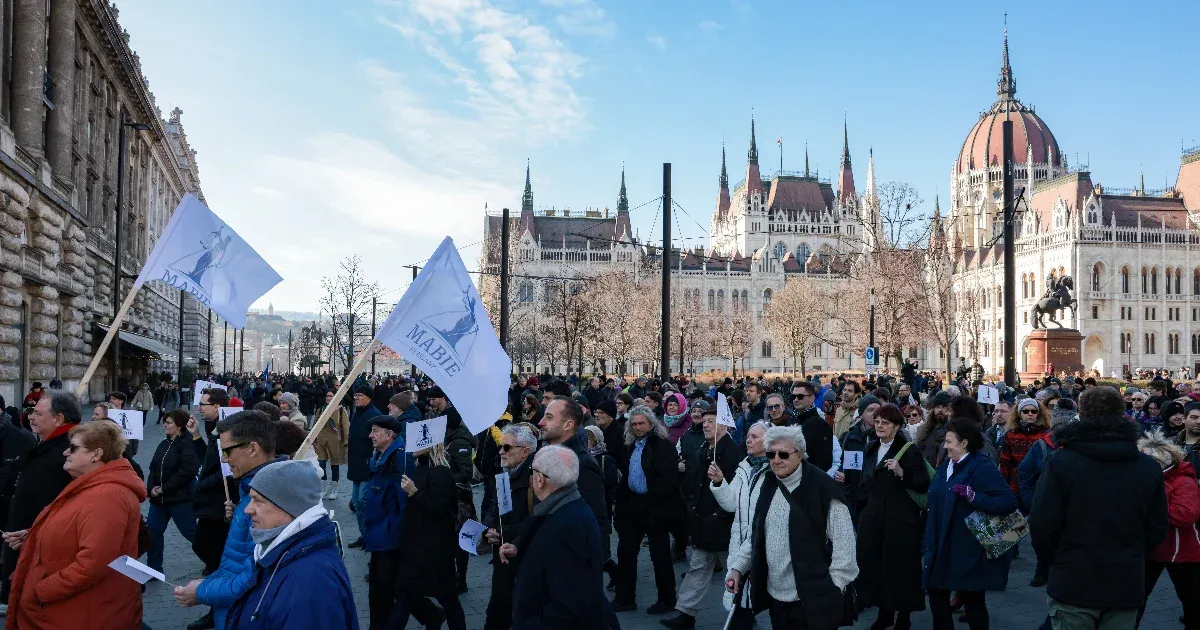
{"x":380,"y":127}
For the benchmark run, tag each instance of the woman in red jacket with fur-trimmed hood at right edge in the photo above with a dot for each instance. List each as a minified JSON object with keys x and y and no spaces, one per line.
{"x":1179,"y":554}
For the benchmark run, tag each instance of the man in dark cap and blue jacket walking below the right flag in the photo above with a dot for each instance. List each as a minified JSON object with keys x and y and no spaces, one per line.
{"x":383,"y":513}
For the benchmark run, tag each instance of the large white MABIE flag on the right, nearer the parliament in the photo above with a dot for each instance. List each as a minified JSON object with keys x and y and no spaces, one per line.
{"x":441,"y":326}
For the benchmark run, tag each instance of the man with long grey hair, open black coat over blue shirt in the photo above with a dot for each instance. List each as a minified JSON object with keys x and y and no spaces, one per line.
{"x":649,"y":506}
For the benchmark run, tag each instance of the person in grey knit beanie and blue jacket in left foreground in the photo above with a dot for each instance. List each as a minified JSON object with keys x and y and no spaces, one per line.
{"x":299,"y":580}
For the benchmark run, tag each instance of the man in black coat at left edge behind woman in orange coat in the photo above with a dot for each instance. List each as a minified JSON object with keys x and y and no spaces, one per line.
{"x":39,"y":477}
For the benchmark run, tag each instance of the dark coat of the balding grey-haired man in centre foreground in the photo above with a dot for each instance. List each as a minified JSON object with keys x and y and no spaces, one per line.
{"x":559,"y":581}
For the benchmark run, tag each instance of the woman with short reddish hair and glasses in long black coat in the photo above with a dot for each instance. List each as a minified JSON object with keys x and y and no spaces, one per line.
{"x":892,"y":525}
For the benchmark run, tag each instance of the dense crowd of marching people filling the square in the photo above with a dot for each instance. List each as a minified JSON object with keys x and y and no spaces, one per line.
{"x":817,"y":500}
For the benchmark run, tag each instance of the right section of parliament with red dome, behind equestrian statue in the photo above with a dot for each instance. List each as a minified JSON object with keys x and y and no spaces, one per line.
{"x":1135,"y":254}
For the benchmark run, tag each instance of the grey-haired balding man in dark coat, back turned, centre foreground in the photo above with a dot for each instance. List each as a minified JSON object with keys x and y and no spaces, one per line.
{"x":559,"y":581}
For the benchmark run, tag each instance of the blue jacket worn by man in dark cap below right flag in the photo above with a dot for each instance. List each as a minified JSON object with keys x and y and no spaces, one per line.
{"x":383,"y":500}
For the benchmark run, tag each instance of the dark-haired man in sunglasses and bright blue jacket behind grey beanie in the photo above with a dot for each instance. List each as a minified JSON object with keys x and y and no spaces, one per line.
{"x":248,"y":445}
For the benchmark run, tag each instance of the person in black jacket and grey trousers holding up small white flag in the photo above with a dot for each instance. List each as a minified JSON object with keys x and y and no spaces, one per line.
{"x":709,"y":525}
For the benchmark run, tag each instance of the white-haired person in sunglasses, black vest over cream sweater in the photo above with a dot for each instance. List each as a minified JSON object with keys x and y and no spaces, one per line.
{"x":818,"y":547}
